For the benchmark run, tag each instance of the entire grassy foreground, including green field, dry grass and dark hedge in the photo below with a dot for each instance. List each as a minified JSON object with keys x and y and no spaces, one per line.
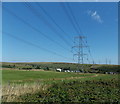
{"x":51,"y":86}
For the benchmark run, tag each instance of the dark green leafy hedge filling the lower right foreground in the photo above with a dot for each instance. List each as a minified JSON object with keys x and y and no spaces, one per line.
{"x":92,"y":91}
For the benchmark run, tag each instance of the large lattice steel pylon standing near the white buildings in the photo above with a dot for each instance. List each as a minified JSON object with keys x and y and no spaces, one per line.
{"x":79,"y":49}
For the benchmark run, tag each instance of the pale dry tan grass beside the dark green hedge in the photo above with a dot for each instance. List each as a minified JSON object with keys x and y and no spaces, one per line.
{"x":10,"y":92}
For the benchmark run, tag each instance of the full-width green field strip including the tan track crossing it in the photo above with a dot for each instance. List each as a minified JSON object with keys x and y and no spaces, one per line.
{"x":19,"y":76}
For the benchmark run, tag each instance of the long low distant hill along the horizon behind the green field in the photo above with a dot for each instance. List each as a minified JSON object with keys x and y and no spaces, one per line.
{"x":98,"y":68}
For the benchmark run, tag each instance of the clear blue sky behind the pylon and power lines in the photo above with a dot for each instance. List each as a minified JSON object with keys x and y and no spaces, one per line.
{"x":45,"y":31}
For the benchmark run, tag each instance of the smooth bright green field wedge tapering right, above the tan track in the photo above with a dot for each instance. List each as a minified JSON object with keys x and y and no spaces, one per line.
{"x":31,"y":76}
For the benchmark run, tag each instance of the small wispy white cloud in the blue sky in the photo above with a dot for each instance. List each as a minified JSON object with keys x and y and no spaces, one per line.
{"x":95,"y":16}
